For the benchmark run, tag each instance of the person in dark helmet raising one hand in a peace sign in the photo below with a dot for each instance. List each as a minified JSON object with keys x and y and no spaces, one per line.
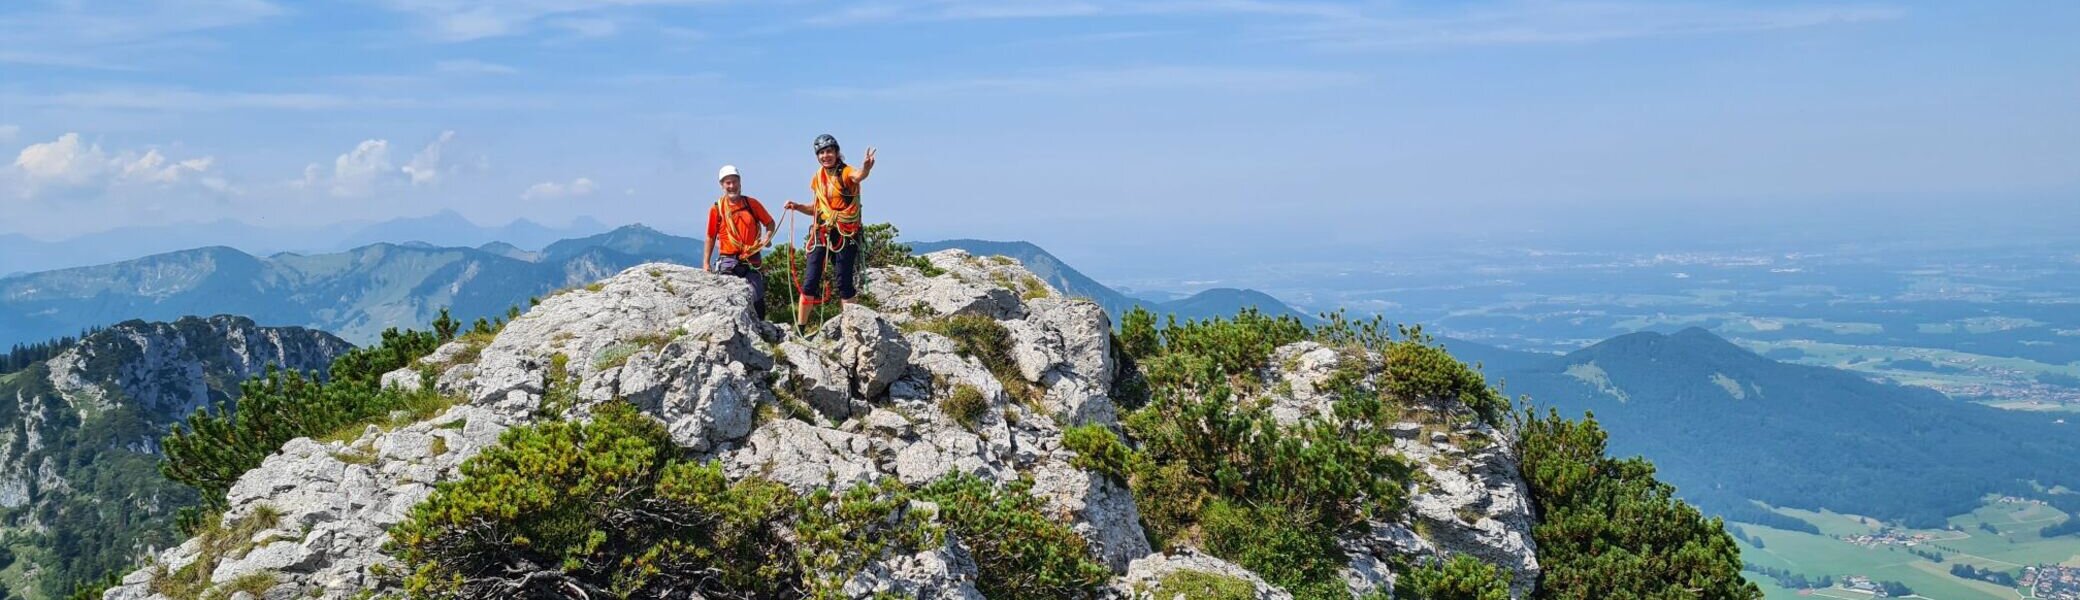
{"x":837,"y":224}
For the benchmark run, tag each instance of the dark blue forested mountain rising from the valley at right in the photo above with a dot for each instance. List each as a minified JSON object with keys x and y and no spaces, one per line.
{"x":1727,"y":426}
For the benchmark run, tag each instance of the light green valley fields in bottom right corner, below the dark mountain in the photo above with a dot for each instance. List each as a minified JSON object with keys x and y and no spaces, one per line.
{"x":2014,"y":547}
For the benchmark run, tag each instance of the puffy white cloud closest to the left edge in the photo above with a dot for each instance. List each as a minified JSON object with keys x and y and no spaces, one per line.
{"x":74,"y":164}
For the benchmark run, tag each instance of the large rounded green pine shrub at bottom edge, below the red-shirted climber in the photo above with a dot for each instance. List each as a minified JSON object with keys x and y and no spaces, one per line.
{"x":602,"y":507}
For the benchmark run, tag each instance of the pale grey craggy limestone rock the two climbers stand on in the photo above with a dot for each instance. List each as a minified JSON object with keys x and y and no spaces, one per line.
{"x":858,"y":401}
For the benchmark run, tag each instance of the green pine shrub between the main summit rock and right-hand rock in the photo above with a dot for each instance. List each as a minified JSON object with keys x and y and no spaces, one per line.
{"x":1226,"y":476}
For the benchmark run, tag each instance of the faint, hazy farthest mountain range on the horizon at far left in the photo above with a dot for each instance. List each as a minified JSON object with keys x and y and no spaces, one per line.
{"x":446,"y":228}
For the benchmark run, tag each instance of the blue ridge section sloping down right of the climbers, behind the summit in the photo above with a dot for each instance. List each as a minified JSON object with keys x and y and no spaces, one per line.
{"x":1203,"y":305}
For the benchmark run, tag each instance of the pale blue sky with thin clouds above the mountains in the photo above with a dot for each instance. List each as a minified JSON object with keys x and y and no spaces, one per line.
{"x":1093,"y":128}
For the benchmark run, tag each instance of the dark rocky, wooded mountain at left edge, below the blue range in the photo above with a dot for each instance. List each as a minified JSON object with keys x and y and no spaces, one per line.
{"x":80,"y":484}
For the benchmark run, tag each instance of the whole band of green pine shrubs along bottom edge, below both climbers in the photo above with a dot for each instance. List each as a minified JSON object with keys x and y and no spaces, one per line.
{"x":613,"y":507}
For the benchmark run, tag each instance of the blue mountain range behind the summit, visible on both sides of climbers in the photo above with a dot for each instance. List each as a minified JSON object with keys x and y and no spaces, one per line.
{"x":402,"y":280}
